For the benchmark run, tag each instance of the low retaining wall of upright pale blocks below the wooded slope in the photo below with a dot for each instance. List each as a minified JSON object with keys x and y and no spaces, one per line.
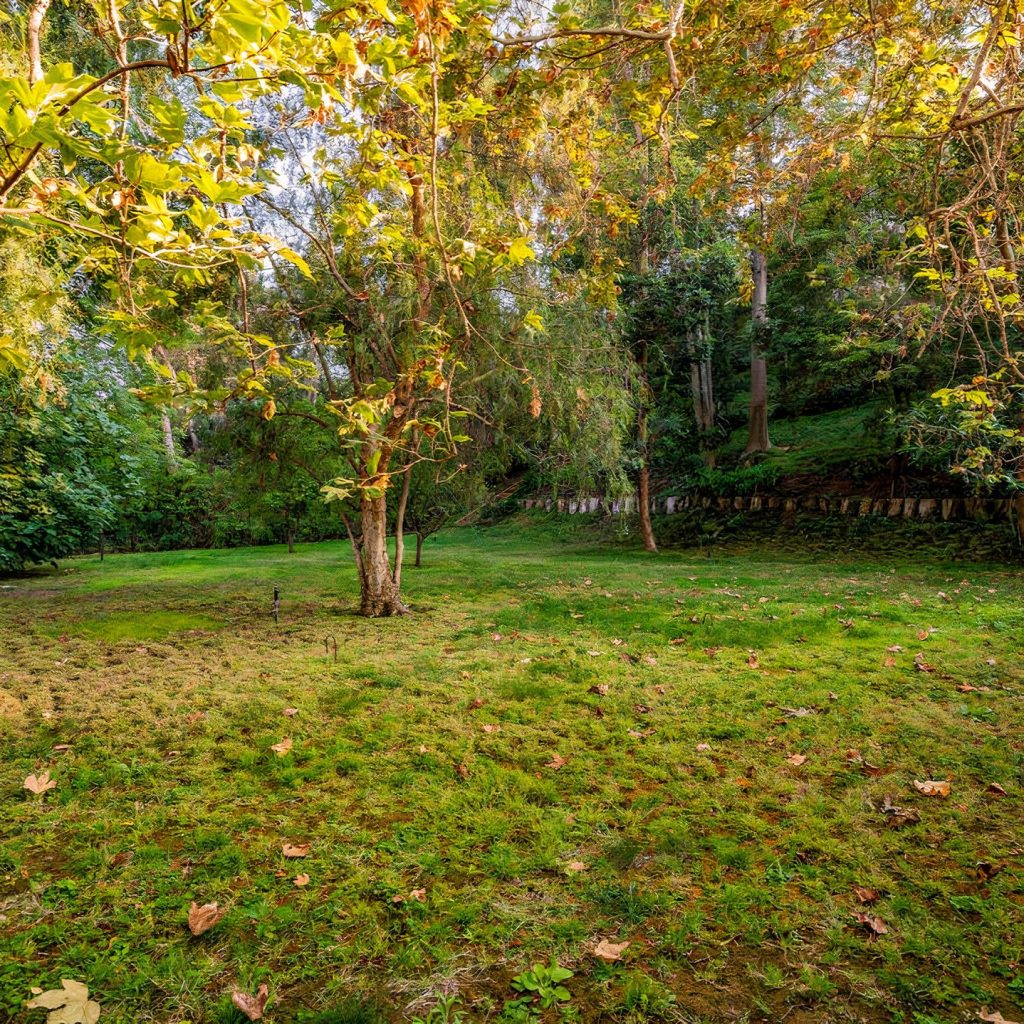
{"x":976,"y":509}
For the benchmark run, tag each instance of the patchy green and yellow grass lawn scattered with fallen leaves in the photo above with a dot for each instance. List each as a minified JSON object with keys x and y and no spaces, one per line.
{"x":565,"y":745}
